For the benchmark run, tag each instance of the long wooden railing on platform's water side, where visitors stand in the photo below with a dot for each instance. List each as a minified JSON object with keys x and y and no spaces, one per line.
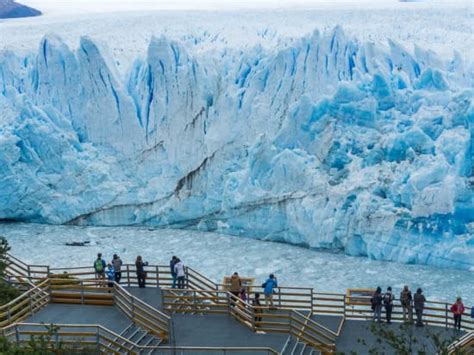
{"x":205,"y":295}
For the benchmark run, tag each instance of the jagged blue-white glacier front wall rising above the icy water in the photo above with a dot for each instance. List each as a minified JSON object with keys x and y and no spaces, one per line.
{"x":326,"y":142}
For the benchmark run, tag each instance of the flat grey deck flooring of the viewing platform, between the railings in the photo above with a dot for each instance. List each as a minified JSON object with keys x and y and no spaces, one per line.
{"x":223,"y":330}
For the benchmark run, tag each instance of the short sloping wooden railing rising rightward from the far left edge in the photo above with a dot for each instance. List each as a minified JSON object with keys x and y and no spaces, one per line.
{"x":25,"y":305}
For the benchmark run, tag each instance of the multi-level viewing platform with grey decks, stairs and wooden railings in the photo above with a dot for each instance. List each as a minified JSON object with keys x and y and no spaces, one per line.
{"x":203,"y":318}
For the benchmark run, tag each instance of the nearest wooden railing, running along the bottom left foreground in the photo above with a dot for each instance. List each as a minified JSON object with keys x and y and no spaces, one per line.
{"x":101,"y":340}
